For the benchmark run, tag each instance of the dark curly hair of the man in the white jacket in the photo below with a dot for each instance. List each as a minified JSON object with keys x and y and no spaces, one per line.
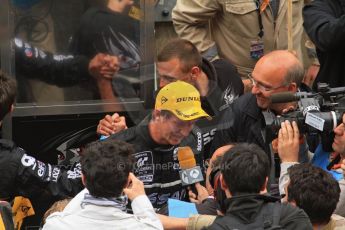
{"x":106,"y":166}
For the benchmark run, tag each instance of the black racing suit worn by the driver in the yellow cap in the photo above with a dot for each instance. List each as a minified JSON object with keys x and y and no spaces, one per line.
{"x":156,"y":165}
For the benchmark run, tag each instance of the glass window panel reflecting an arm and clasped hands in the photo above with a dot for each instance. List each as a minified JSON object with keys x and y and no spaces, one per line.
{"x":55,"y":43}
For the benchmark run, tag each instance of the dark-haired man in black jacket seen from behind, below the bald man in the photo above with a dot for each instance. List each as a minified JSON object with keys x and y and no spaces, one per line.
{"x":244,"y":175}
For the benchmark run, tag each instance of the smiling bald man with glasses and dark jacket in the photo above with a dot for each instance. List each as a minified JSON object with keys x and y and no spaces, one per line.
{"x":278,"y":71}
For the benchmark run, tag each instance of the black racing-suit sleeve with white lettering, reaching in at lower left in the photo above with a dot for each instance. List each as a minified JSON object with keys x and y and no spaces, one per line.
{"x":23,"y":175}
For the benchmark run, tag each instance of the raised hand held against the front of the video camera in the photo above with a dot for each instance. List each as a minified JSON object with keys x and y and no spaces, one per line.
{"x":288,"y":142}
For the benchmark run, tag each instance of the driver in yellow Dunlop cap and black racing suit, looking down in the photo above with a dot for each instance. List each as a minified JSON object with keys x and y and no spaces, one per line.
{"x":156,"y":141}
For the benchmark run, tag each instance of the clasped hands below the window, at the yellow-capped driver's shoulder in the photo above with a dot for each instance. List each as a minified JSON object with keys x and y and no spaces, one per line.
{"x":111,"y":124}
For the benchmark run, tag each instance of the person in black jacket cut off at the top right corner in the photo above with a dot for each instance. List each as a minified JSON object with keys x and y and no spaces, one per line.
{"x":324,"y":22}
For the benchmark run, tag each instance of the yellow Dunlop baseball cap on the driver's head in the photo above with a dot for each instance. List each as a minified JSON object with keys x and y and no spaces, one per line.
{"x":182,"y":99}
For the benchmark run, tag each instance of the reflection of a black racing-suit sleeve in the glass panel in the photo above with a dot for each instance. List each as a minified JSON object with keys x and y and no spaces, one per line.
{"x":60,"y":70}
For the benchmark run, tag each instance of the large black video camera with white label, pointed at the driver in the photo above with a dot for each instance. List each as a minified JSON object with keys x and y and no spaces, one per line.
{"x":317,"y":113}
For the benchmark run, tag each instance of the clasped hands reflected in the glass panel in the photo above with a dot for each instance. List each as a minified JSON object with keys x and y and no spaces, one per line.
{"x":104,"y":66}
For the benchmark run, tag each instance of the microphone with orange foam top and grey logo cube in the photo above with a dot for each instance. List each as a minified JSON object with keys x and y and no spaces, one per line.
{"x":190,"y":173}
